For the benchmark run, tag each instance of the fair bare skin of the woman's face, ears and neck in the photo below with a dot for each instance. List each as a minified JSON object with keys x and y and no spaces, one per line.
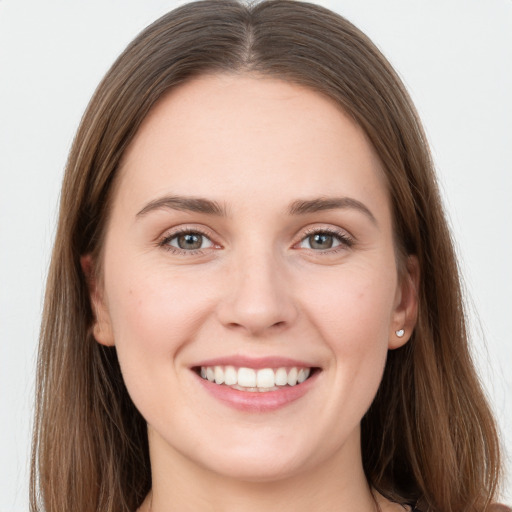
{"x":257,"y":287}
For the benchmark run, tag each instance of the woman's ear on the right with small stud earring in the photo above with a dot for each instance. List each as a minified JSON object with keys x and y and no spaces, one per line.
{"x":406,"y":305}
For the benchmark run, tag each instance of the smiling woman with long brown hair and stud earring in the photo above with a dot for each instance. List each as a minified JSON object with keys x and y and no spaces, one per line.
{"x":253,"y":299}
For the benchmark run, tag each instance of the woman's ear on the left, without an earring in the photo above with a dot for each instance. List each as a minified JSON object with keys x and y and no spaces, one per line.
{"x":102,"y":325}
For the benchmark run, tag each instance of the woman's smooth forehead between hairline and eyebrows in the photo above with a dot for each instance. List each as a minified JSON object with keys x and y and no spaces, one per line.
{"x":213,"y":132}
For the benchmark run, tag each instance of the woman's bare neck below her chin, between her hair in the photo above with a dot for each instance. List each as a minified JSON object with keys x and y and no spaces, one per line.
{"x":334,"y":485}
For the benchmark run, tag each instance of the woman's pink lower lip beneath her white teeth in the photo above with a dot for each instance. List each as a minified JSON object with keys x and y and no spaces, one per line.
{"x":258,"y":401}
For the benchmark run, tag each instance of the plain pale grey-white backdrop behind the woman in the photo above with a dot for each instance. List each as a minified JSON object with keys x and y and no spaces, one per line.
{"x":454,"y":56}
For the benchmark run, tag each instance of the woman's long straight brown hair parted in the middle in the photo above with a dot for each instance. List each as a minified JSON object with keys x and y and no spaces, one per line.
{"x":429,"y":436}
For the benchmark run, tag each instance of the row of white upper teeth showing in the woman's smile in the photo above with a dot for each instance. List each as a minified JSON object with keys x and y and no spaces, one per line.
{"x":255,"y":380}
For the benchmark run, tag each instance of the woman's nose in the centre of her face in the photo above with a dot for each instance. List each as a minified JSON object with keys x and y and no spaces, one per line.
{"x":259,"y":296}
